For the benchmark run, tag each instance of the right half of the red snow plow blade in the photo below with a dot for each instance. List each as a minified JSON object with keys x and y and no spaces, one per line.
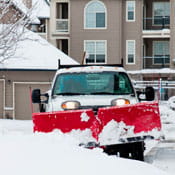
{"x":143,"y":116}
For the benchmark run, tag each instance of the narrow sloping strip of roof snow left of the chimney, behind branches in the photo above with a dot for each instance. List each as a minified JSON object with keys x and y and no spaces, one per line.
{"x":20,"y":5}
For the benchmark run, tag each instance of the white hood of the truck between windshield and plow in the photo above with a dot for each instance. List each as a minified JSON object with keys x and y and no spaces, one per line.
{"x":86,"y":100}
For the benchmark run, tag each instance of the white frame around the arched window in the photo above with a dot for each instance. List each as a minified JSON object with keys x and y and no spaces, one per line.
{"x":95,"y":28}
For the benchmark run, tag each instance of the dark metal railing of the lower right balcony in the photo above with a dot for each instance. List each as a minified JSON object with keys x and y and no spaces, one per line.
{"x":156,"y":62}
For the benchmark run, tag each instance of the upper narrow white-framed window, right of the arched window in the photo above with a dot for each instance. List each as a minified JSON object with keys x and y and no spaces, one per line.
{"x":130,"y":10}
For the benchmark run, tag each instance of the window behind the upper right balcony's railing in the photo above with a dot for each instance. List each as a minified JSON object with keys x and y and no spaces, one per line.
{"x":161,"y":13}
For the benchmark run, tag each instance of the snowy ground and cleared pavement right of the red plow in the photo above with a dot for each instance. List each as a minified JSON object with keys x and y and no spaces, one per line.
{"x":164,"y":157}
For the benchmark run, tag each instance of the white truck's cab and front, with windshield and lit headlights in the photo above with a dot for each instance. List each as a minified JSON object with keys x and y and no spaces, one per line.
{"x":88,"y":87}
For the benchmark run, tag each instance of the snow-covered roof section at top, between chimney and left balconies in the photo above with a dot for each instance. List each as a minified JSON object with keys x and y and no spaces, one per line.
{"x":41,"y":8}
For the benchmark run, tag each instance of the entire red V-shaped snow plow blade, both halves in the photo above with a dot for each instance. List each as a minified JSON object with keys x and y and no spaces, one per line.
{"x":144,"y":117}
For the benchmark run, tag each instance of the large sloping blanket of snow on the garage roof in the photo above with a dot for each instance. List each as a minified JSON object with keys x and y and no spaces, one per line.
{"x":36,"y":53}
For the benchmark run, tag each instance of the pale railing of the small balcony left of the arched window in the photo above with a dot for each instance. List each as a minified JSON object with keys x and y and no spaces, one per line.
{"x":62,"y":25}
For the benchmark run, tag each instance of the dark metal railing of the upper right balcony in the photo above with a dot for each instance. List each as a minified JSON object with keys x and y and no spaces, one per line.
{"x":156,"y":23}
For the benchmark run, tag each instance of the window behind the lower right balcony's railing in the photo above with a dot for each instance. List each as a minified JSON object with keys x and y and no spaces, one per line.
{"x":161,"y":52}
